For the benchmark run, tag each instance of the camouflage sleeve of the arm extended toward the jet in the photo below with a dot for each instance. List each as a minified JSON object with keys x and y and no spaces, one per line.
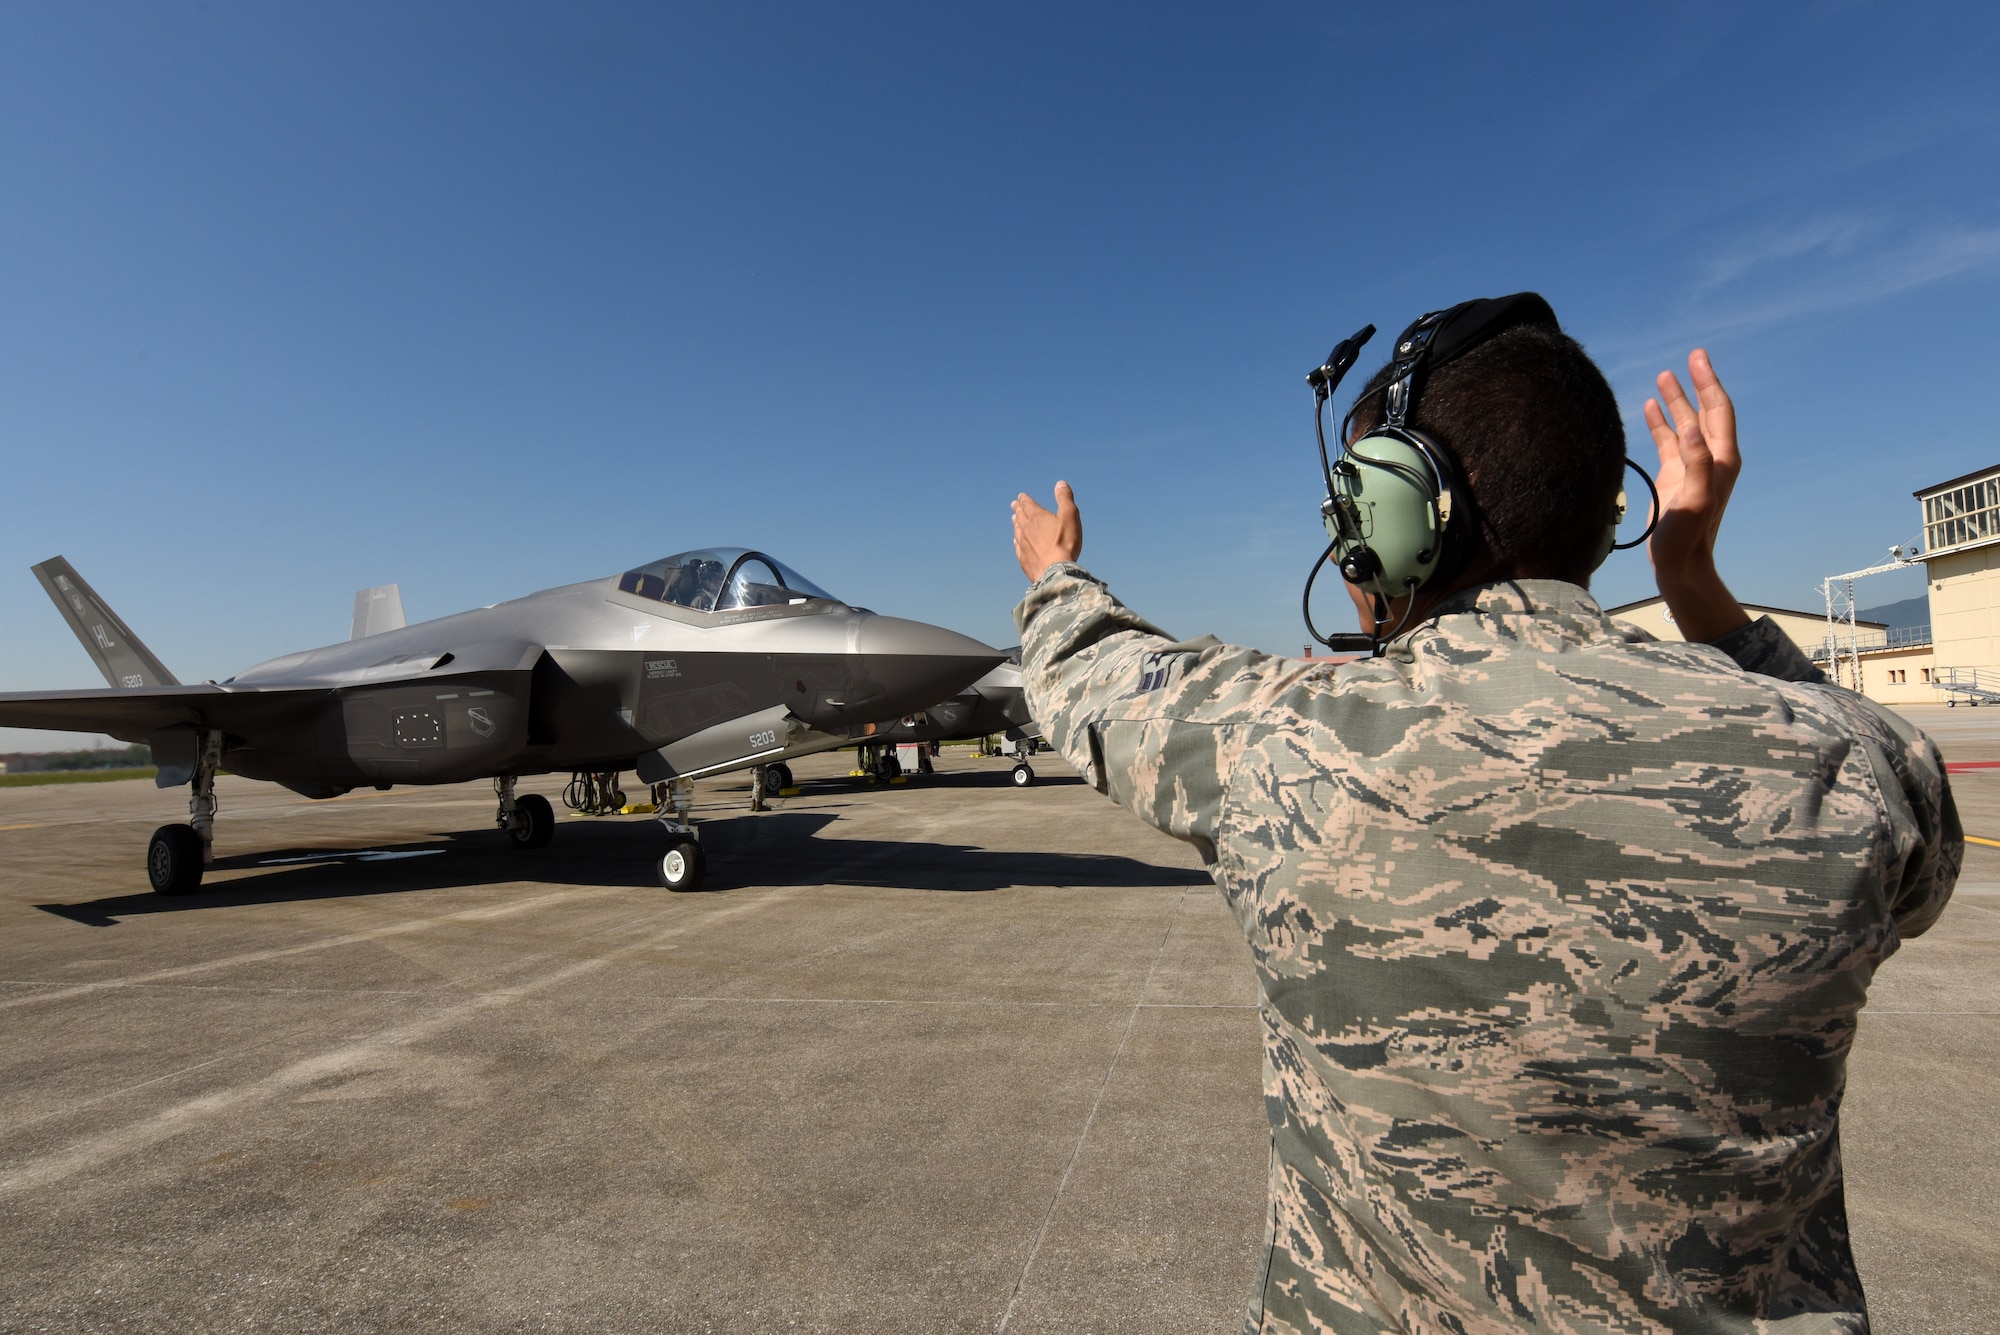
{"x":1153,"y":722}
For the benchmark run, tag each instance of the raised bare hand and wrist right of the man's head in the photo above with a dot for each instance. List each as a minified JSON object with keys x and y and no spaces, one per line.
{"x":1699,"y":467}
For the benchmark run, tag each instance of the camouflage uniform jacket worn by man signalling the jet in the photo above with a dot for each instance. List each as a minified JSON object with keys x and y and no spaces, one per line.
{"x":1561,"y":934}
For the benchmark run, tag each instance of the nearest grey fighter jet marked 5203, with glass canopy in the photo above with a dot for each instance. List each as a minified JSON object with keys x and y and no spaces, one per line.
{"x":695,"y":665}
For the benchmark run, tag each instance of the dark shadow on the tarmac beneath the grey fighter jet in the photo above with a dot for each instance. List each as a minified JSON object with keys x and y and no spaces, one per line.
{"x":777,"y":848}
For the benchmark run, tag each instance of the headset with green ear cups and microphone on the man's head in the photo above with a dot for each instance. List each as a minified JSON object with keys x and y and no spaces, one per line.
{"x":1399,"y":513}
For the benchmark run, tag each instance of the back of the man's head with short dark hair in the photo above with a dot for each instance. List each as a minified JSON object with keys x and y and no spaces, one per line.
{"x":1537,"y":431}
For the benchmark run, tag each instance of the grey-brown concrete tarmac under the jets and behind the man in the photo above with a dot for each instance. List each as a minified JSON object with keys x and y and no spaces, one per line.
{"x":947,"y":1056}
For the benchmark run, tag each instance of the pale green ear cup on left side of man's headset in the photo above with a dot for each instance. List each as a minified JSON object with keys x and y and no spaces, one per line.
{"x":1385,"y":523}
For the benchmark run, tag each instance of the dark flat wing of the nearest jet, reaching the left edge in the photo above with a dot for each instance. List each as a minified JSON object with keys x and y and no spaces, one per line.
{"x":137,"y":712}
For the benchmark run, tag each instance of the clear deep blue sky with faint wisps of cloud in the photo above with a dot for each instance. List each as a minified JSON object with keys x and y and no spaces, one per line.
{"x":489,"y":299}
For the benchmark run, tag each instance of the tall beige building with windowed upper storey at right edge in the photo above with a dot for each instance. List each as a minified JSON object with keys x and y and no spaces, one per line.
{"x":1963,"y":567}
